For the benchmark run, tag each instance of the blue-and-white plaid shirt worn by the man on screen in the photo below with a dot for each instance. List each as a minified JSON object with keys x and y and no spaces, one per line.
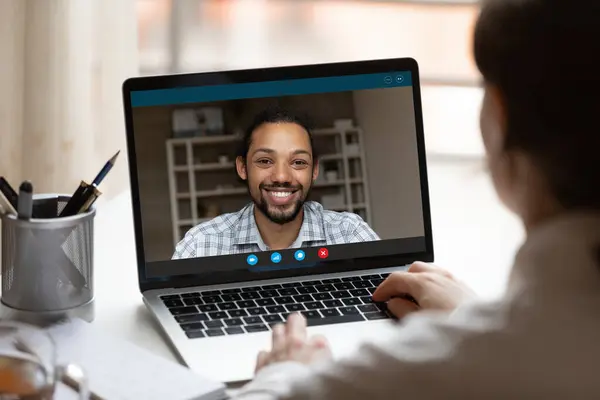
{"x":235,"y":233}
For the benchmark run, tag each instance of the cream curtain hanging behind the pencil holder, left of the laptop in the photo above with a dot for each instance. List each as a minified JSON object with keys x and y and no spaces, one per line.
{"x":61,"y":113}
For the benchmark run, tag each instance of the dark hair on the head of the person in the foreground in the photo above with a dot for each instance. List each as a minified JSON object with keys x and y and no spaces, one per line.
{"x":543,"y":56}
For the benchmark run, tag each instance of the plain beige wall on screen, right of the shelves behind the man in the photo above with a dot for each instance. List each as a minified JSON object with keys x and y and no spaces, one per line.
{"x":387,"y":118}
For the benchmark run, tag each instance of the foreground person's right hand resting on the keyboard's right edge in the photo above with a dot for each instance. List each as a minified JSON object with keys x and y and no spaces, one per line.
{"x":433,"y":288}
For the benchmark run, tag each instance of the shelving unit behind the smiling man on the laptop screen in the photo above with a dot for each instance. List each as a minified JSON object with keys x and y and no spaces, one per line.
{"x":199,"y":177}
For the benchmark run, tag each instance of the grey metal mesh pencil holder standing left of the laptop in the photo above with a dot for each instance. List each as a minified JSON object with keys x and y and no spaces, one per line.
{"x":47,"y":263}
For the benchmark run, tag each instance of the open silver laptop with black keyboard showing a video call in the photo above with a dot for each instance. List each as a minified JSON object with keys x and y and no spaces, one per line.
{"x":261,"y":192}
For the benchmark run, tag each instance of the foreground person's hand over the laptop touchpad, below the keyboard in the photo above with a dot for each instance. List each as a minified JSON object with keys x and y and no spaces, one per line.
{"x":290,"y":343}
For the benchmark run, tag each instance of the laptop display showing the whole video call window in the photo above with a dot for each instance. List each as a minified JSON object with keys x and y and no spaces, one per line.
{"x":277,"y":175}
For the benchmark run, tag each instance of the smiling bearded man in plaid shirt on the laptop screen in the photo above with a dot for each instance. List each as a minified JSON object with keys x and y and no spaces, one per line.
{"x":278,"y":162}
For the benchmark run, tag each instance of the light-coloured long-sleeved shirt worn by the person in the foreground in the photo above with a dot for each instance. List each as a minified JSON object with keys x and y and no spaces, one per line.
{"x":540,"y":341}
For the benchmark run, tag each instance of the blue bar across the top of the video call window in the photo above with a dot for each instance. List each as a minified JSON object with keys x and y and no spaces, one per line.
{"x":199,"y":94}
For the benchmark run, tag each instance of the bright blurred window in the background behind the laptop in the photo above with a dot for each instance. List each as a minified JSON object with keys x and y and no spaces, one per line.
{"x":202,"y":35}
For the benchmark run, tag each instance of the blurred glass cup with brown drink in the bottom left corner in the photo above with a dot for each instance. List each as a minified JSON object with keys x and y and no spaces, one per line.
{"x":29,"y":367}
